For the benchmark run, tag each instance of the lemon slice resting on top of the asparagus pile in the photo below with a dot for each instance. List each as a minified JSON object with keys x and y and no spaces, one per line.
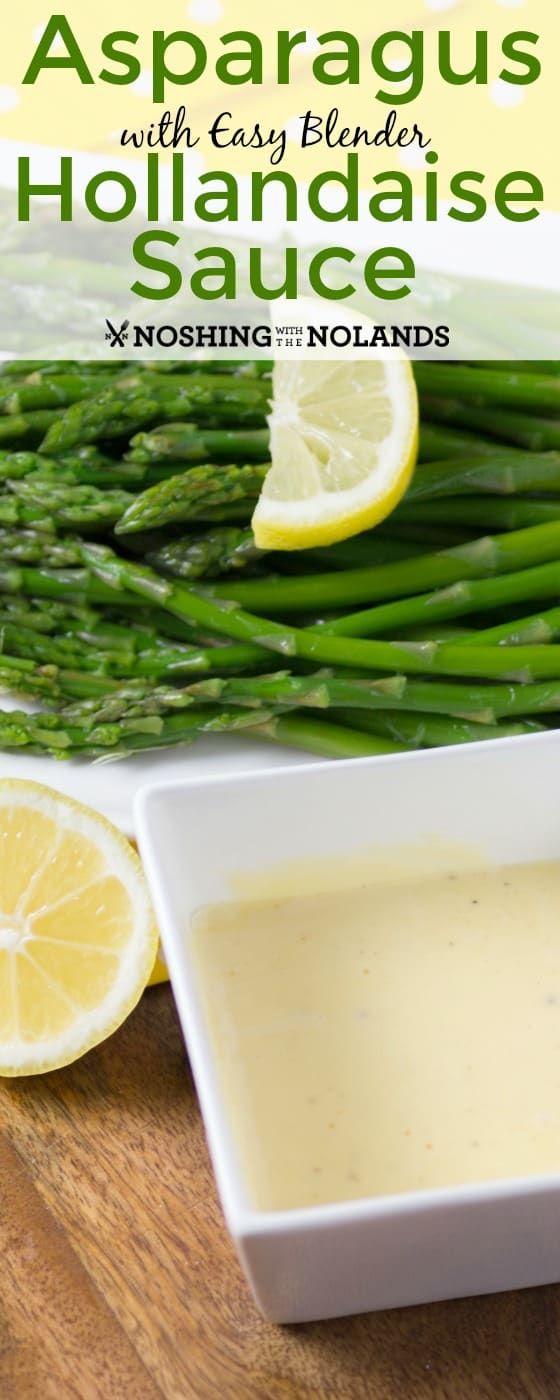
{"x":344,"y":444}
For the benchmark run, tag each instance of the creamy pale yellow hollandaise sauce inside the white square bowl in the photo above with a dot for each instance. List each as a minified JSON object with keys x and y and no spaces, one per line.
{"x":388,"y":1038}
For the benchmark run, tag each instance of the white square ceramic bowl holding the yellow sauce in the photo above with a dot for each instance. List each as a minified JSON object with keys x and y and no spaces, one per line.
{"x":195,"y":839}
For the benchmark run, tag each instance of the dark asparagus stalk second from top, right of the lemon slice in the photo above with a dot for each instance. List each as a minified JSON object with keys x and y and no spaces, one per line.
{"x":537,"y":435}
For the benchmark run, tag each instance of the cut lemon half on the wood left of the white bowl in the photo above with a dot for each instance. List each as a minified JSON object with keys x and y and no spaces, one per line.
{"x":78,"y":936}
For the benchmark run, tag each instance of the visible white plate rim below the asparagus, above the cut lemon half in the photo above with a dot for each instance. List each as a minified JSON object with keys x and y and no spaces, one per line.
{"x":111,"y":787}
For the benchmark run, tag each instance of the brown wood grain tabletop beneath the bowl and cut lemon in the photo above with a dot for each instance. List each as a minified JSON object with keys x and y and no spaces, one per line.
{"x":118,"y":1280}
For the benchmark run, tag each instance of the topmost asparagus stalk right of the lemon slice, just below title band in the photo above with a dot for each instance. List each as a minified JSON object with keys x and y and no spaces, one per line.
{"x":523,"y":391}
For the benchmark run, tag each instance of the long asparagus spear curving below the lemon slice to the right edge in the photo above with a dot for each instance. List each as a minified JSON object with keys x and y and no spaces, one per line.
{"x":443,"y":659}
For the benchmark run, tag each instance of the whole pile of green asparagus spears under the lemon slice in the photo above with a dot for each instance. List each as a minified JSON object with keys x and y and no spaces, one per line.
{"x":127,"y":659}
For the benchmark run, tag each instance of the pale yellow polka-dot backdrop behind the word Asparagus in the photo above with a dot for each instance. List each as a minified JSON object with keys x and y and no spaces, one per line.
{"x":493,"y":128}
